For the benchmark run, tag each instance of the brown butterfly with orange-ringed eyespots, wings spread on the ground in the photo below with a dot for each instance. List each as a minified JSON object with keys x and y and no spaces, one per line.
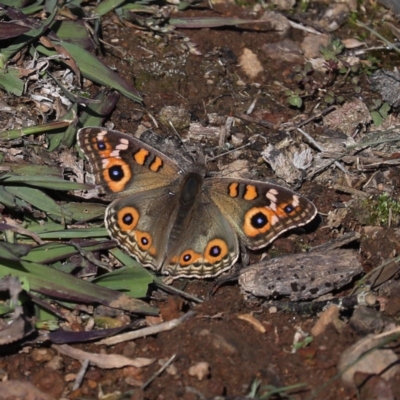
{"x":176,"y":219}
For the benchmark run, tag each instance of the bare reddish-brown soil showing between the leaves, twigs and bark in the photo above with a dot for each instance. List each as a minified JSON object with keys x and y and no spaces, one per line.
{"x":237,"y":353}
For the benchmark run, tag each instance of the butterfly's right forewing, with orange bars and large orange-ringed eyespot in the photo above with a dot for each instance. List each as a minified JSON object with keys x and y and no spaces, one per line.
{"x":259,"y":212}
